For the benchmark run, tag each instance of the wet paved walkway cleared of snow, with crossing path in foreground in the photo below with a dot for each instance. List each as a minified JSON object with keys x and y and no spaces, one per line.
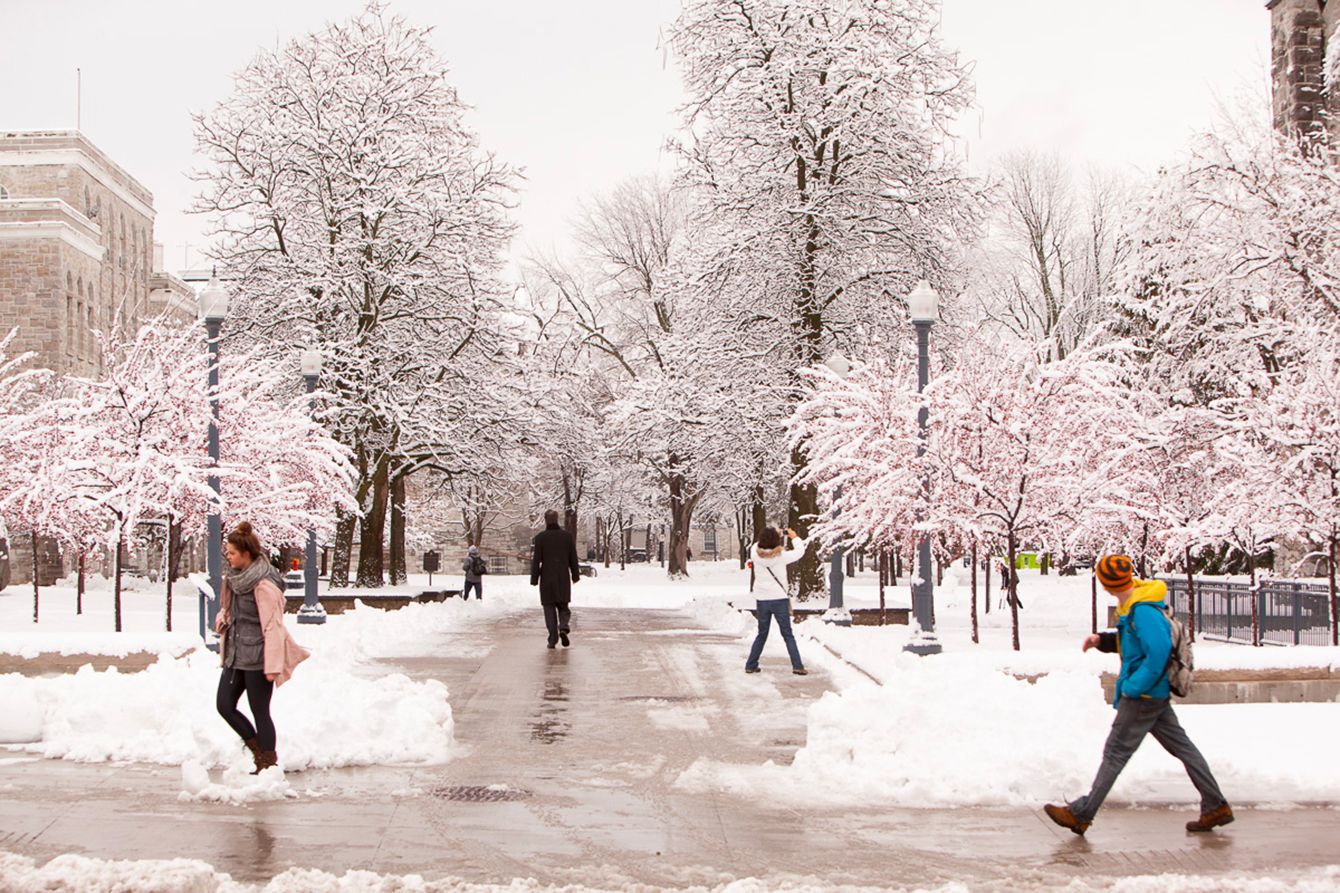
{"x":588,"y":743}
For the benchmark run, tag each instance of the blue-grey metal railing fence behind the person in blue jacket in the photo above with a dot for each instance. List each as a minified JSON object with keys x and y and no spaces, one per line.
{"x":1288,"y":612}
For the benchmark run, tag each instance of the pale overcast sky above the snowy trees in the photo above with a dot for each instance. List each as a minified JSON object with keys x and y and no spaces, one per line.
{"x":581,"y":95}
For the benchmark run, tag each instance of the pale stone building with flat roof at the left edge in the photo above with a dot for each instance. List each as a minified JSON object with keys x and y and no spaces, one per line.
{"x":77,"y":255}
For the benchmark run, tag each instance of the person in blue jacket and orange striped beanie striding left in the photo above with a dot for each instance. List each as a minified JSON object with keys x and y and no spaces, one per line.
{"x":1144,"y":707}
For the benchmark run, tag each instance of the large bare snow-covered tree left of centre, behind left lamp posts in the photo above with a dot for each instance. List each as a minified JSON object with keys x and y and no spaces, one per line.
{"x":360,"y":215}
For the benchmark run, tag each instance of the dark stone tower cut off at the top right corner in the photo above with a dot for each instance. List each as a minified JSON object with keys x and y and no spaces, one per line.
{"x":1304,"y":48}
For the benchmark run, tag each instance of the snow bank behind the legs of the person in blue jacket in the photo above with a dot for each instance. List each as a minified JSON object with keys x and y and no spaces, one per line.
{"x":945,"y":733}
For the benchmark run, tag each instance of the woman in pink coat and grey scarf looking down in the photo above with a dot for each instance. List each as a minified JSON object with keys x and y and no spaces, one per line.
{"x":257,"y":651}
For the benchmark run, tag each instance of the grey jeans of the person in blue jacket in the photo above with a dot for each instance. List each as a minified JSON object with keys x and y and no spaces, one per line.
{"x":1137,"y":718}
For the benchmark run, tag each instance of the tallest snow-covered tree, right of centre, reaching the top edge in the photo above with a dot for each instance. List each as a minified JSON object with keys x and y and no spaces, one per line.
{"x":815,"y":139}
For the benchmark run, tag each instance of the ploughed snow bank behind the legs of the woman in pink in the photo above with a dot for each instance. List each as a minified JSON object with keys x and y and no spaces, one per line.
{"x":167,"y":715}
